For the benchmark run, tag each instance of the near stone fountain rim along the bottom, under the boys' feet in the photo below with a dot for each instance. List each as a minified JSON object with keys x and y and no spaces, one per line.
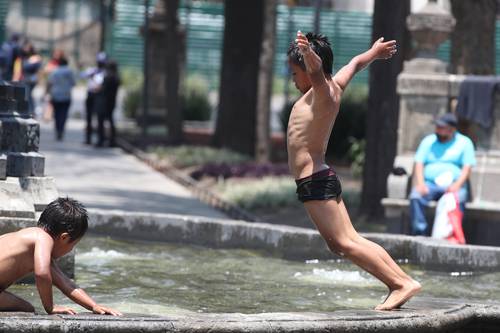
{"x":429,"y":315}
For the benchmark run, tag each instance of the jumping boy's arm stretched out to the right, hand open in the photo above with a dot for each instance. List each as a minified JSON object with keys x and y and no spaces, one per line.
{"x":379,"y":50}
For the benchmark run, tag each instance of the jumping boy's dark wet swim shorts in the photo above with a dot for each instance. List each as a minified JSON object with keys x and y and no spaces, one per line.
{"x":321,"y":185}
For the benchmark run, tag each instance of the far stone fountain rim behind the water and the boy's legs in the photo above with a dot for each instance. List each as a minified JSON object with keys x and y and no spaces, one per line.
{"x":284,"y":241}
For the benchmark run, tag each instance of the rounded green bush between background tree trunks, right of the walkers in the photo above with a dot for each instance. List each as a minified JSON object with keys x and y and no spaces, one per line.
{"x":195,"y":102}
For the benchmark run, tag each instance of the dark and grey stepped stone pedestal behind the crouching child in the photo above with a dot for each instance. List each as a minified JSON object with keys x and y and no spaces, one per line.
{"x":24,"y":189}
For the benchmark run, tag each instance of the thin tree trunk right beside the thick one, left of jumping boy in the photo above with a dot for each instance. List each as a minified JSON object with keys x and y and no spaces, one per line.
{"x":265,"y":80}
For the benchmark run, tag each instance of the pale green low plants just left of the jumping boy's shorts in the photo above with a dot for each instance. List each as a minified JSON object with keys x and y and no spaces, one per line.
{"x":267,"y":192}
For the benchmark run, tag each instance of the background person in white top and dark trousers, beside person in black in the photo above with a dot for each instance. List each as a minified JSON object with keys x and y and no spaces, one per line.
{"x":95,"y":78}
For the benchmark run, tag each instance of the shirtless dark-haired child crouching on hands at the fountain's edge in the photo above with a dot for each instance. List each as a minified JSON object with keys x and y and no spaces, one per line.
{"x":61,"y":225}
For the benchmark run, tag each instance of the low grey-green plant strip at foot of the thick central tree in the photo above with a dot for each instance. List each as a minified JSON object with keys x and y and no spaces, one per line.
{"x":186,"y":156}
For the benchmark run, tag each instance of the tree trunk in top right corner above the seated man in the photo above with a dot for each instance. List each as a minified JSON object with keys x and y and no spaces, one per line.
{"x":473,"y":40}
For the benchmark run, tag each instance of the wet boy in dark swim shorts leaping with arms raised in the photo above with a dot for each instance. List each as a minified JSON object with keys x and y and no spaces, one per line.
{"x":311,"y":121}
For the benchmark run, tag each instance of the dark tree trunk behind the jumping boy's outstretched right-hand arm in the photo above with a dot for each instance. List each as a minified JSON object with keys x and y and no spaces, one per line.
{"x":389,"y":21}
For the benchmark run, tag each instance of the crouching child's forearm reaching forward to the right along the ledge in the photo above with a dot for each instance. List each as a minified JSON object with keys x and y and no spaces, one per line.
{"x":76,"y":294}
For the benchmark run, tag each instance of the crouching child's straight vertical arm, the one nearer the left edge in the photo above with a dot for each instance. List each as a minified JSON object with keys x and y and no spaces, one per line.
{"x":43,"y":275}
